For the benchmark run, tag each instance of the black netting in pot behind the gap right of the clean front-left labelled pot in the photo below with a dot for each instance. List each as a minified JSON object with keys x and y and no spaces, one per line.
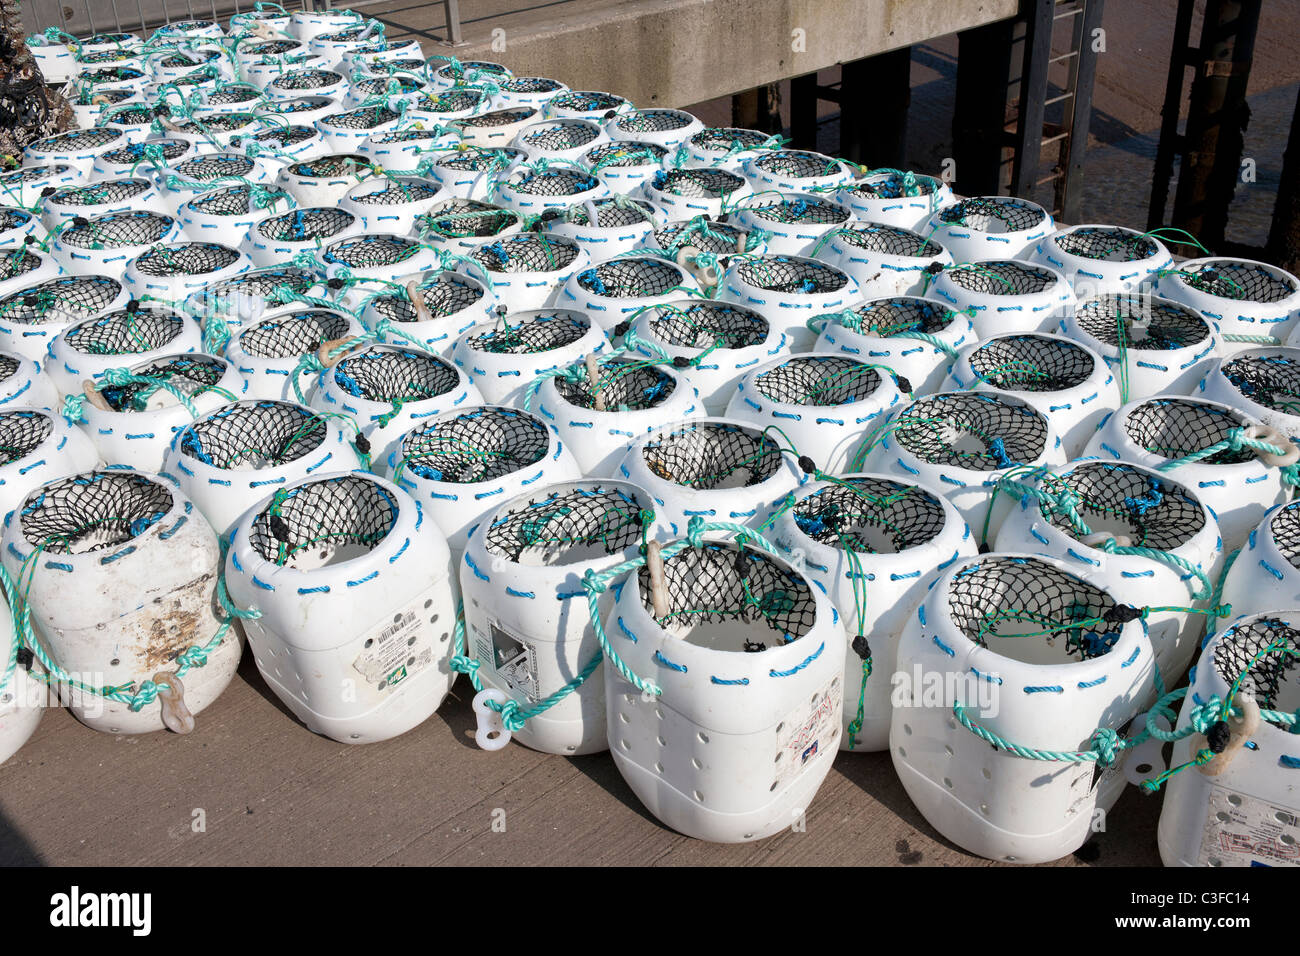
{"x":476,"y":445}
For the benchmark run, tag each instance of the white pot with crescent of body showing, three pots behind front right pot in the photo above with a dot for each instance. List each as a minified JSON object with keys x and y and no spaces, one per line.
{"x":1063,"y":379}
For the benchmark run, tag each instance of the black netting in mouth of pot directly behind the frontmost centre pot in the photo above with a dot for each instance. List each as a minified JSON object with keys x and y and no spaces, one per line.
{"x":712,"y":456}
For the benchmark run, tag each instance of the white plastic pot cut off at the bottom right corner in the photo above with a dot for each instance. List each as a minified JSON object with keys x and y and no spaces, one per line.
{"x":1247,"y":814}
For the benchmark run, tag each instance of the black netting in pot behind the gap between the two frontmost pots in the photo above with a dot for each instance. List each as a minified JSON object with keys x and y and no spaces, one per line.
{"x":873,"y":516}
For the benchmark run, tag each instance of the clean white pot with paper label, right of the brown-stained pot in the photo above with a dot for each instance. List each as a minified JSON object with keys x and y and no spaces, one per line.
{"x":357,"y":587}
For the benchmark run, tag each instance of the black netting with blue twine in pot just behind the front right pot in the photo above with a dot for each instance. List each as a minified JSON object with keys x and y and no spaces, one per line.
{"x":1121,"y":500}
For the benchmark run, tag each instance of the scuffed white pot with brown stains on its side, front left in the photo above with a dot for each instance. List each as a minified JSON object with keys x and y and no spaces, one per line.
{"x":123,"y":587}
